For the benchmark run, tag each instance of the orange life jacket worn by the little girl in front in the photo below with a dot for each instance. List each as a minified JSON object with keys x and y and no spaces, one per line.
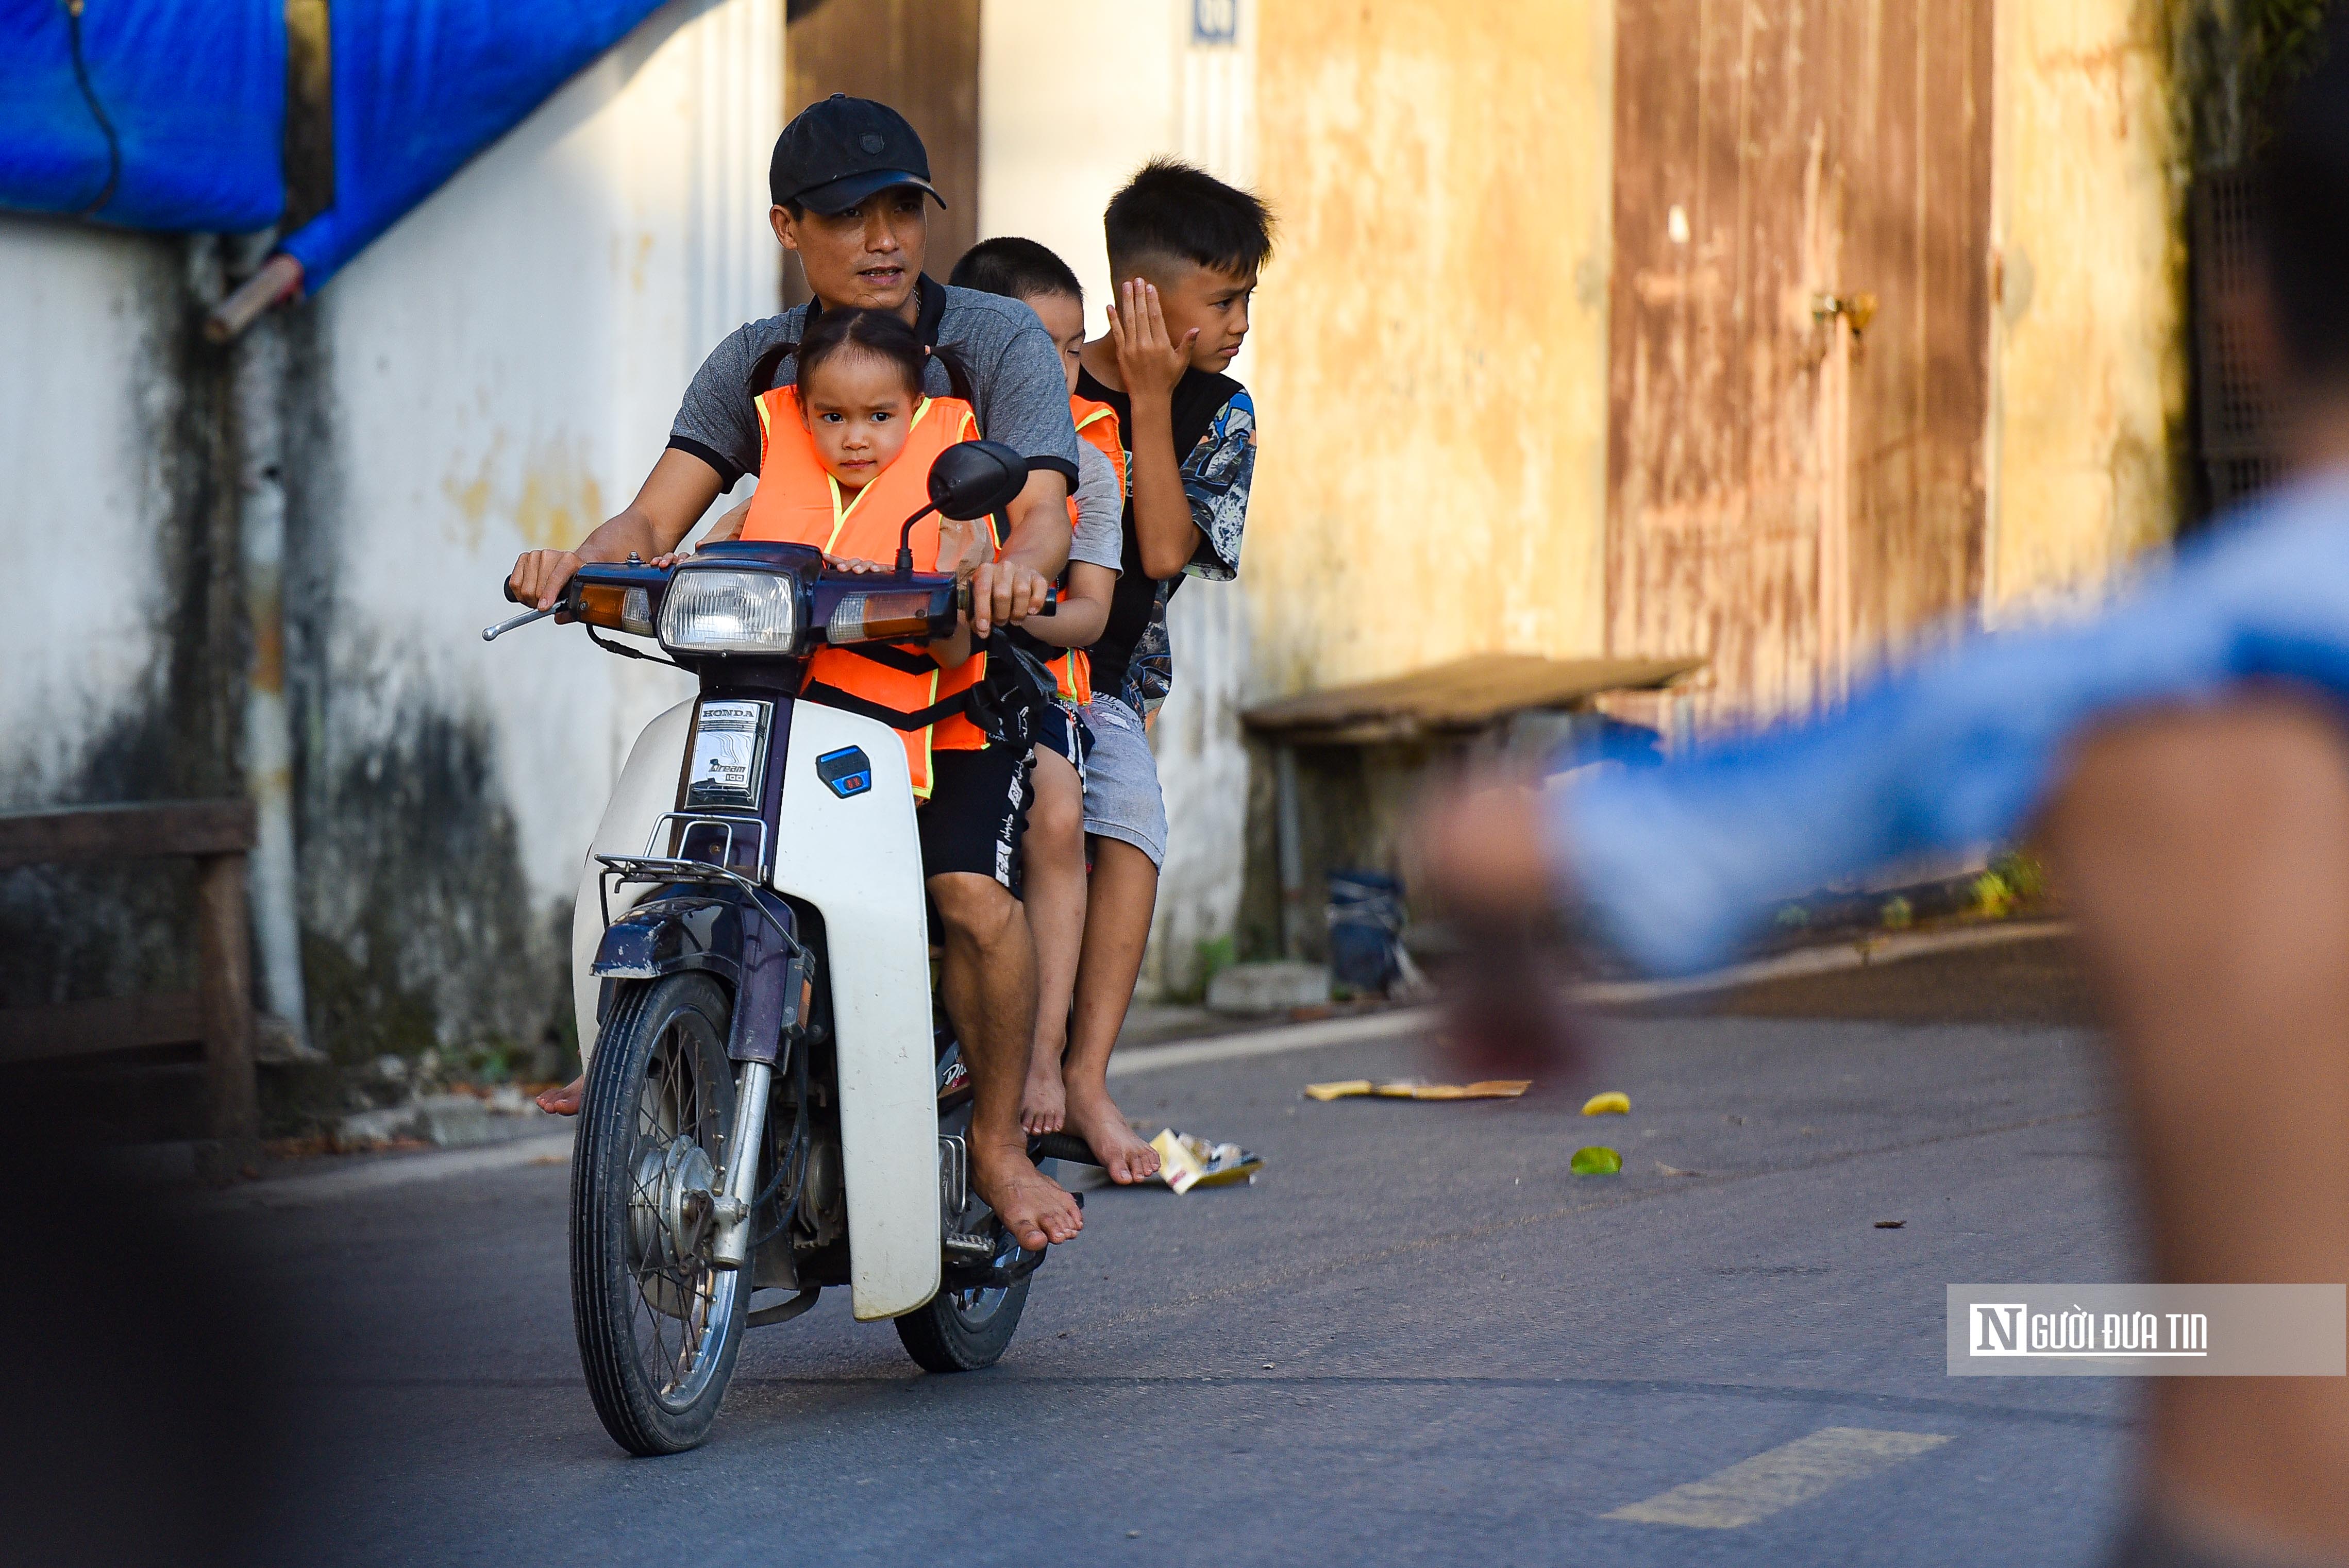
{"x":800,"y":503}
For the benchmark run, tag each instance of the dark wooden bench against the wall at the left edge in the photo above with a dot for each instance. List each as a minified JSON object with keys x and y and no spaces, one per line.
{"x":217,"y":1015}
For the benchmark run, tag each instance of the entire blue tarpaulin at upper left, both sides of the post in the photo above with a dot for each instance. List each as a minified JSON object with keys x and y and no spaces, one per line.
{"x":196,"y":95}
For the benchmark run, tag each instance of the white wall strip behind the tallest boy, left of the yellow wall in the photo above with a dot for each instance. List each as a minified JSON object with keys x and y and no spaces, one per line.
{"x":1058,"y":135}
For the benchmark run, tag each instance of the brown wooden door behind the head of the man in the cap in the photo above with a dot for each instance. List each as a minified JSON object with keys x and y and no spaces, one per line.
{"x":922,"y":58}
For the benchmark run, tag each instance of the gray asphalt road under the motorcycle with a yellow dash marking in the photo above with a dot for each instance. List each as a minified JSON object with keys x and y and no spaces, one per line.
{"x":1418,"y":1339}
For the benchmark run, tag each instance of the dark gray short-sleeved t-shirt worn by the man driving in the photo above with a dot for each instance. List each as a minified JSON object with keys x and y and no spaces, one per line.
{"x":1018,"y":384}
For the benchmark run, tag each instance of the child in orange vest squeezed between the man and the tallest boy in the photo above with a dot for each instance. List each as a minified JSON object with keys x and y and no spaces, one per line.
{"x":1044,"y":283}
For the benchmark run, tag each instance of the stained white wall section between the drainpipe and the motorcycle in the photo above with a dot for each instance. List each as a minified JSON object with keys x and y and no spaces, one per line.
{"x":499,"y":374}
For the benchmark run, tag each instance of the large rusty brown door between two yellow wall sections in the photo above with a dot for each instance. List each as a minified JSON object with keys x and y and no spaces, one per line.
{"x":1801,"y":337}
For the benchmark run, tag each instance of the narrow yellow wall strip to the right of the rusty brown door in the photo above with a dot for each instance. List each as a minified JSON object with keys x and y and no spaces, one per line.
{"x":2089,"y":353}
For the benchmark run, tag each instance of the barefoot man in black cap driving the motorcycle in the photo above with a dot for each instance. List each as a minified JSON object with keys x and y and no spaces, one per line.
{"x":852,"y":194}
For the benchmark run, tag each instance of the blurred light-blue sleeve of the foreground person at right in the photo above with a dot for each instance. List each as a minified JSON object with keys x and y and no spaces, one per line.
{"x":1681,"y":863}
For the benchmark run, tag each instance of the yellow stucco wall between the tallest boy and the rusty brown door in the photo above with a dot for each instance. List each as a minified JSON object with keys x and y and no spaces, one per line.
{"x":1429,"y":353}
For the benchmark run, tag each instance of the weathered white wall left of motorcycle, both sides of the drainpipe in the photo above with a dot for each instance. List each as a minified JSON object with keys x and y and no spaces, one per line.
{"x":494,"y":374}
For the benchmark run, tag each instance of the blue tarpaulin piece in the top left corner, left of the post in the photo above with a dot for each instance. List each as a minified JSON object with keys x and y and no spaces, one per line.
{"x":173,"y":116}
